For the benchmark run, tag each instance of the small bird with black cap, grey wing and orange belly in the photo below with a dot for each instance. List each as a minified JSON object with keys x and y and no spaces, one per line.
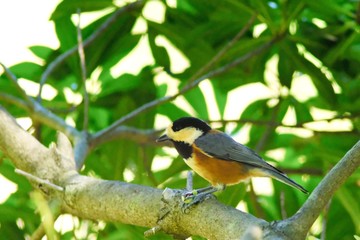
{"x":217,"y":157}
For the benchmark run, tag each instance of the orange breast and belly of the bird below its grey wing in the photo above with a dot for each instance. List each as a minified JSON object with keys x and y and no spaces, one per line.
{"x":217,"y":171}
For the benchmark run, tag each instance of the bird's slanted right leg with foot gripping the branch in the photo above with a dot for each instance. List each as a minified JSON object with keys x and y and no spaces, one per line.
{"x":195,"y":196}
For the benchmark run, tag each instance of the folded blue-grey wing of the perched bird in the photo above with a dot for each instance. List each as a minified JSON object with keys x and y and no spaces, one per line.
{"x":222,"y":146}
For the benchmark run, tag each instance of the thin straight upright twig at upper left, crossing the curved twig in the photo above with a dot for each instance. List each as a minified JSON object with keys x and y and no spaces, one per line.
{"x":83,"y":72}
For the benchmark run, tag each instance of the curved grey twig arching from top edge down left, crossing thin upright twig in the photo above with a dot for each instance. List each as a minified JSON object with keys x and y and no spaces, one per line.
{"x":106,"y":25}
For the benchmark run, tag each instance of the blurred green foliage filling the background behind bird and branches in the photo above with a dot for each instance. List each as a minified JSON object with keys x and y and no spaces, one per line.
{"x":319,"y":39}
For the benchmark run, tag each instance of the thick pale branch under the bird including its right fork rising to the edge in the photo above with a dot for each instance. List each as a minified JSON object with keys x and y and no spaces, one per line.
{"x":145,"y":206}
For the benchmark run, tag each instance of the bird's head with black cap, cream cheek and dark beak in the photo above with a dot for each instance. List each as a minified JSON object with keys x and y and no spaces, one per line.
{"x":186,"y":129}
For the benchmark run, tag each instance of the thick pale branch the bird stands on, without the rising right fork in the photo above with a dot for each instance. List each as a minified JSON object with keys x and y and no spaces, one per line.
{"x":113,"y":200}
